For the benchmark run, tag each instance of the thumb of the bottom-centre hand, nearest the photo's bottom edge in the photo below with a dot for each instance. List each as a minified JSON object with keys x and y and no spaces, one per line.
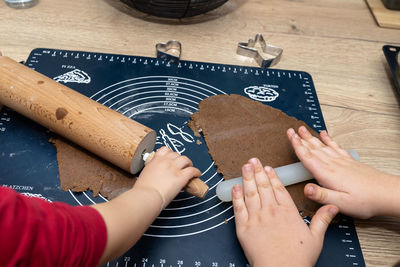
{"x":322,"y":219}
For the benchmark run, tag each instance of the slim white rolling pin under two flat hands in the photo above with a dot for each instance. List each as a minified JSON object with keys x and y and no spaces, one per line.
{"x":289,"y":174}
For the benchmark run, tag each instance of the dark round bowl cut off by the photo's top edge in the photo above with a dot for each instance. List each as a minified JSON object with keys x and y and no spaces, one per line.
{"x":174,"y":8}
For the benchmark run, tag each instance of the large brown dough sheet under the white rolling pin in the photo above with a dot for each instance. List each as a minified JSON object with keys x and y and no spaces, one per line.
{"x":236,"y":129}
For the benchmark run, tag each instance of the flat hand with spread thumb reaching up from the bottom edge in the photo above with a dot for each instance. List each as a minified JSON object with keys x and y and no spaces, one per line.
{"x":268,"y":224}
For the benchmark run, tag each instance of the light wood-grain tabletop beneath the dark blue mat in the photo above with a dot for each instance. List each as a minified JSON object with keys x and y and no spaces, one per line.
{"x":336,"y":41}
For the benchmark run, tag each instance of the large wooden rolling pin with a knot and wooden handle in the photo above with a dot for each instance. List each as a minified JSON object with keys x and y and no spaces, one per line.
{"x":97,"y":128}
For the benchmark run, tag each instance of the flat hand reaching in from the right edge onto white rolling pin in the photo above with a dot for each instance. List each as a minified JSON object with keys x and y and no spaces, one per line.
{"x":357,"y":189}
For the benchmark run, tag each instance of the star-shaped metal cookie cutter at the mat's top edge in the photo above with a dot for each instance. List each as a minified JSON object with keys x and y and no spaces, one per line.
{"x":269,"y":56}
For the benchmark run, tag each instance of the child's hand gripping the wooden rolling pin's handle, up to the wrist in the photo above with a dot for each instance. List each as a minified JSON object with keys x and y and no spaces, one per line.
{"x":167,"y":173}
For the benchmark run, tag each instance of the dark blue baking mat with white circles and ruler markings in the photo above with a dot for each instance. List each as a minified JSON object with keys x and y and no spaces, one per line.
{"x":190,"y":231}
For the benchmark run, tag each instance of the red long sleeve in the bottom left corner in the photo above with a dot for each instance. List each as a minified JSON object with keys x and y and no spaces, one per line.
{"x":34,"y":232}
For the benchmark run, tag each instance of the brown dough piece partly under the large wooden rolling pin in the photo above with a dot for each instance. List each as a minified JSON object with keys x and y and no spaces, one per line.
{"x":80,"y":170}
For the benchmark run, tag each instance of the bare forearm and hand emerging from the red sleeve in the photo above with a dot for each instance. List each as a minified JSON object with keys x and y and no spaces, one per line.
{"x":129,"y":215}
